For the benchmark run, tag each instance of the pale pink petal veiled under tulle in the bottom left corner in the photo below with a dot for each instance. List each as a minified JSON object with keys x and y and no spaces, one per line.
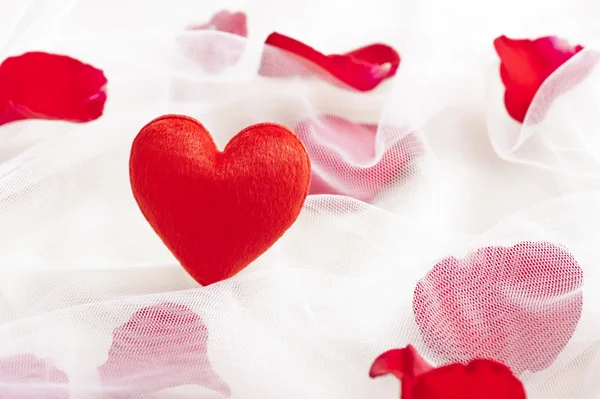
{"x":26,"y":376}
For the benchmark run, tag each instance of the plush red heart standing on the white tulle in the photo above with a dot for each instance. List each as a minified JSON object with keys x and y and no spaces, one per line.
{"x":218,"y":211}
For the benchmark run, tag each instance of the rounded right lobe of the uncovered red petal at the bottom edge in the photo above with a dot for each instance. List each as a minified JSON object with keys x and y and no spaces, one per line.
{"x":479,"y":379}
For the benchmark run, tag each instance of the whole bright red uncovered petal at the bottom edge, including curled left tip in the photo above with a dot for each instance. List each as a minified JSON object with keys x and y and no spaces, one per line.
{"x":478,"y":379}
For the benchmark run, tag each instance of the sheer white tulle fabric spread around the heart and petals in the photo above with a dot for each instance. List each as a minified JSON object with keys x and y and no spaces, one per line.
{"x":307,"y":318}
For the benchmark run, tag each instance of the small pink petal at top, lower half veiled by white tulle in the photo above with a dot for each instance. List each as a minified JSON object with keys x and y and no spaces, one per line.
{"x":216,"y":54}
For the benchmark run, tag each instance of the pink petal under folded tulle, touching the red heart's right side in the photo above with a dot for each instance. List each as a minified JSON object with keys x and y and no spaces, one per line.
{"x":342,"y":154}
